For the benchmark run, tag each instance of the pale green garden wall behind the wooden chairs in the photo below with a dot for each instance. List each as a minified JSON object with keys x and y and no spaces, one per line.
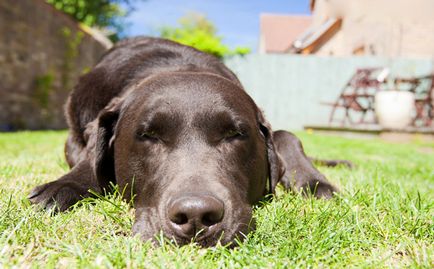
{"x":291,"y":88}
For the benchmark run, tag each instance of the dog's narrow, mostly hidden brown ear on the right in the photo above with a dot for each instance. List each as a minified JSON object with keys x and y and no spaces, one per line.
{"x":275,"y":167}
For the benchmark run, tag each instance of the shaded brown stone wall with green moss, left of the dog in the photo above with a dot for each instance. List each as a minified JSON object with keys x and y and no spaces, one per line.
{"x":42,"y":53}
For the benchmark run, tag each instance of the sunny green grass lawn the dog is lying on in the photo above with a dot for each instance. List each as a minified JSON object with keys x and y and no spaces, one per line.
{"x":383,"y":218}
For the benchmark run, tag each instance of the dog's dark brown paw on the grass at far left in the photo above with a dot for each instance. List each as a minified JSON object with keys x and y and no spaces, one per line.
{"x":57,"y":196}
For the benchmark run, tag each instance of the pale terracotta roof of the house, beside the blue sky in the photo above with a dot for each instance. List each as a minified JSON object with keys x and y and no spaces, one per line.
{"x":278,"y":32}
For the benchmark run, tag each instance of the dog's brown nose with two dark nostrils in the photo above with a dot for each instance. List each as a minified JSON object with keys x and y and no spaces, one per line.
{"x":189,"y":215}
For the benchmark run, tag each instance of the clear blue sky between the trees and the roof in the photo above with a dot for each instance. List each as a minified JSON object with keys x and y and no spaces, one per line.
{"x":236,"y":20}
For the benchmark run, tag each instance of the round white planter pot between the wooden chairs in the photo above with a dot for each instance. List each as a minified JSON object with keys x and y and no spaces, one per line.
{"x":394,"y":109}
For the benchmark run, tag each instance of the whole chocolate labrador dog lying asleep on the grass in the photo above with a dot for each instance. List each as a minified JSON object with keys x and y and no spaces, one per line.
{"x":174,"y":128}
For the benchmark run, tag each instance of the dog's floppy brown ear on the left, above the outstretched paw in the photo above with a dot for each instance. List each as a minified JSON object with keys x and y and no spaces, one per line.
{"x":104,"y":168}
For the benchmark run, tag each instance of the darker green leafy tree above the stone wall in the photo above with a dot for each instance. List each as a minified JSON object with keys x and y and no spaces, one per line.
{"x":104,"y":14}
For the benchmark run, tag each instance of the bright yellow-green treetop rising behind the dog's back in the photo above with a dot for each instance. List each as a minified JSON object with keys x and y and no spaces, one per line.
{"x":197,"y":31}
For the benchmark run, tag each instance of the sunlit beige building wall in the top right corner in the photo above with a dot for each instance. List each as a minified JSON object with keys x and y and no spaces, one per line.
{"x":390,"y":28}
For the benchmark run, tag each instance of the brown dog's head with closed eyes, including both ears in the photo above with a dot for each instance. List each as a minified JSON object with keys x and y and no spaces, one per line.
{"x":196,"y":151}
